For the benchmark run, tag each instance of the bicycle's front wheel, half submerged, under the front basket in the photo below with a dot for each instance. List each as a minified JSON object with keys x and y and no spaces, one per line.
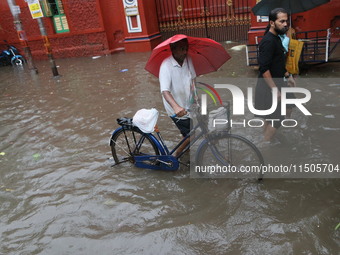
{"x":230,"y":156}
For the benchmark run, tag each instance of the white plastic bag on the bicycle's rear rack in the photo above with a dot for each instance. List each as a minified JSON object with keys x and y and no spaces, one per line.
{"x":145,"y":119}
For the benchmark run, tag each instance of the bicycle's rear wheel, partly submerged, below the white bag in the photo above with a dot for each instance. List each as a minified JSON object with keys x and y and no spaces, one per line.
{"x":127,"y":143}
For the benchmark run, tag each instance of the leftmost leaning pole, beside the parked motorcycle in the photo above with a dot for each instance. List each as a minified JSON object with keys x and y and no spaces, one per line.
{"x":15,"y":10}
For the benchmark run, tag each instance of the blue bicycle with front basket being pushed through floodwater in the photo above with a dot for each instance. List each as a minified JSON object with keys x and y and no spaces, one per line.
{"x":129,"y":144}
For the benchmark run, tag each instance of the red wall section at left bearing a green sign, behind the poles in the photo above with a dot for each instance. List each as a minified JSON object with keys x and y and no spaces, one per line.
{"x":74,"y":28}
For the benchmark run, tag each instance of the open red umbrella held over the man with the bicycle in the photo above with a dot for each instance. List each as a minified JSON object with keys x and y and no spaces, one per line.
{"x":206,"y":54}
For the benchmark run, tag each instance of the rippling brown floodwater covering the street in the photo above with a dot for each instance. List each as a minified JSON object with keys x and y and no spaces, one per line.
{"x":60,"y":195}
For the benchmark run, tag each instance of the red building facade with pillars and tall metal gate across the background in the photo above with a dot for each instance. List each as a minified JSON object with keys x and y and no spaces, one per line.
{"x":95,"y":27}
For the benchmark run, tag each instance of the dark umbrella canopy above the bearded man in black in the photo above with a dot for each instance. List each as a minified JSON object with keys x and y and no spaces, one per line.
{"x":264,"y":7}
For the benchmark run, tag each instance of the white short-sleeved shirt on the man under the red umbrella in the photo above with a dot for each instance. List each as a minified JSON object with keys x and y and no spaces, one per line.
{"x":177,"y":80}
